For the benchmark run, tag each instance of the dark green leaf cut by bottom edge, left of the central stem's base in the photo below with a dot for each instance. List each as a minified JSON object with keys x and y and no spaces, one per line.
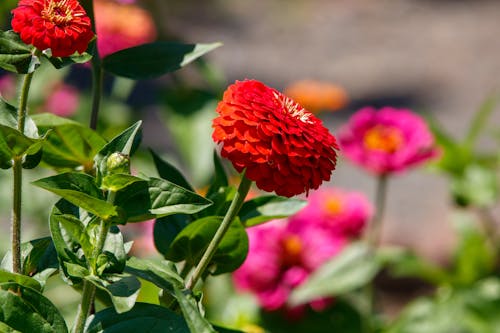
{"x":143,"y":317}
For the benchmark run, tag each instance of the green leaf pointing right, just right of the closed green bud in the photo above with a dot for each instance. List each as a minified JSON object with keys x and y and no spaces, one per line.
{"x":156,"y":198}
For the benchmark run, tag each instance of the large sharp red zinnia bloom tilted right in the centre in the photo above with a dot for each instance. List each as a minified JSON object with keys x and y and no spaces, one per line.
{"x":283,"y":147}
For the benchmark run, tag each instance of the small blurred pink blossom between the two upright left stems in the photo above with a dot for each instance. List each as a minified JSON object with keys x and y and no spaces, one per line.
{"x":63,"y":100}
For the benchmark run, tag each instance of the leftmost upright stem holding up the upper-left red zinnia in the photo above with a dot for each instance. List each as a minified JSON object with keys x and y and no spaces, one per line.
{"x":17,"y":170}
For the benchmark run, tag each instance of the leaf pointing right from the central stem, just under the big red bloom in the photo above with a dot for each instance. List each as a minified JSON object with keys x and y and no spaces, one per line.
{"x":265,"y":208}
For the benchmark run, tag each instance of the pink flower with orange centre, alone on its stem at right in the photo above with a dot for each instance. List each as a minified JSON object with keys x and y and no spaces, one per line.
{"x":387,"y":140}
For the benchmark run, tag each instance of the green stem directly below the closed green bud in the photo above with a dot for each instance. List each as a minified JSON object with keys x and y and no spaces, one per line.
{"x":88,"y":290}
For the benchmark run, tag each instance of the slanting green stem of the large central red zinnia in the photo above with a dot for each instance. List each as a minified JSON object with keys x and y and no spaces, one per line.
{"x":232,"y":212}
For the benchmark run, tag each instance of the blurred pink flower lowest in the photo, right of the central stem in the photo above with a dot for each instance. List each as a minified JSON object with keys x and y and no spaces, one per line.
{"x":280,"y":259}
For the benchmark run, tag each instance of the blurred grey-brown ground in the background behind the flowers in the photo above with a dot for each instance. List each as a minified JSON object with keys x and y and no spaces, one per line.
{"x":438,"y":58}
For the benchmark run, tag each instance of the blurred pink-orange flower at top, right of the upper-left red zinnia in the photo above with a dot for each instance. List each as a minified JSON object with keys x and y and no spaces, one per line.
{"x":121,"y":25}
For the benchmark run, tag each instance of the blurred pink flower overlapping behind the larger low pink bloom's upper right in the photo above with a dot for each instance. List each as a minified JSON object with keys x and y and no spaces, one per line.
{"x":343,"y":213}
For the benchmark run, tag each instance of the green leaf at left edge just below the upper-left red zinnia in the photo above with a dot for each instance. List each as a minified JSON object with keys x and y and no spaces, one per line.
{"x":15,"y":55}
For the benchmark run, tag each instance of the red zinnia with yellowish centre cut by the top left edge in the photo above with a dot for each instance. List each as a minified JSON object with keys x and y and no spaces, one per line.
{"x":59,"y":25}
